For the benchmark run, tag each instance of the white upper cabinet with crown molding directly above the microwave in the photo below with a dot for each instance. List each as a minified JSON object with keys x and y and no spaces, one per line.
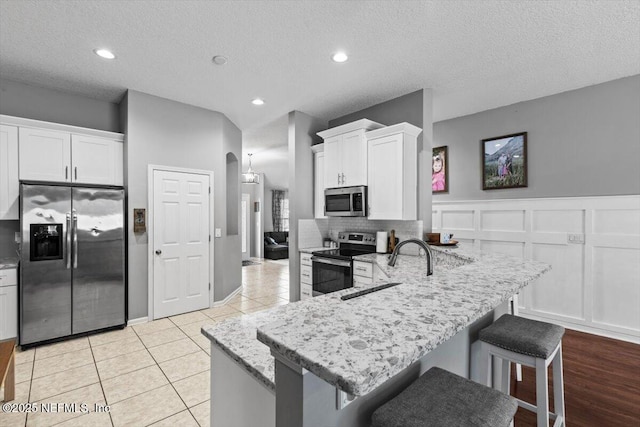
{"x":345,"y":148}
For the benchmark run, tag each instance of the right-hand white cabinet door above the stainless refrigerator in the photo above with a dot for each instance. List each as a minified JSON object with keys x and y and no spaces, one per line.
{"x":96,"y":160}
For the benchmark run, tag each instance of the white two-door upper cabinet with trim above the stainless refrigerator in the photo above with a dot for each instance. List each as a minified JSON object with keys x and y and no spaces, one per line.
{"x":53,"y":152}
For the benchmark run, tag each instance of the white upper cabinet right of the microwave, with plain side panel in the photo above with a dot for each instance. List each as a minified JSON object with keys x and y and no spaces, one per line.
{"x":393,"y":172}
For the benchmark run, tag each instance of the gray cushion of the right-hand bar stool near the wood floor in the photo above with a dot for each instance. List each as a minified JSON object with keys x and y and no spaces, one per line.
{"x":524,"y":336}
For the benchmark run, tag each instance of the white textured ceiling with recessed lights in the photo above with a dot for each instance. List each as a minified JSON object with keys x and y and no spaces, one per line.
{"x":475,"y":55}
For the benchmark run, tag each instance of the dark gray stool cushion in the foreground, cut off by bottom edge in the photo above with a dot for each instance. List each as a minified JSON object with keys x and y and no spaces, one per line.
{"x":440,"y":398}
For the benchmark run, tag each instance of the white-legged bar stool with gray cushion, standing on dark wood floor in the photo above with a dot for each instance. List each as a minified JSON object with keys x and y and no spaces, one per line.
{"x":530,"y":343}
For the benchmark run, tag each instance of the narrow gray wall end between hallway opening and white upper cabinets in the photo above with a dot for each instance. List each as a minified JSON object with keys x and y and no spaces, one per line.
{"x":302,"y":134}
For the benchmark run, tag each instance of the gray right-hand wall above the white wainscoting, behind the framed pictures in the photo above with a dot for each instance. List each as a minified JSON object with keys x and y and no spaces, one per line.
{"x":585,"y":142}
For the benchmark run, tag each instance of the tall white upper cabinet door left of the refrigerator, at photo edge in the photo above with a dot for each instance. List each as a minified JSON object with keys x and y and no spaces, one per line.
{"x":9,"y":187}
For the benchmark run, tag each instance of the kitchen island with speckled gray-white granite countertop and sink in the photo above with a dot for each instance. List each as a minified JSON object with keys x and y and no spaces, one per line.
{"x":328,"y":362}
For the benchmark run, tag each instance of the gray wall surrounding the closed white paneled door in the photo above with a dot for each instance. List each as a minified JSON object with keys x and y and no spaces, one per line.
{"x":168,"y":133}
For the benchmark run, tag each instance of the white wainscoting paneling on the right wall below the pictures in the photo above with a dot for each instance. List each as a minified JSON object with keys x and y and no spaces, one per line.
{"x":592,"y":243}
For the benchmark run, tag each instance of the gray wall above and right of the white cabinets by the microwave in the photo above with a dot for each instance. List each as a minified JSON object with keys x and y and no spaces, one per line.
{"x":415,"y":108}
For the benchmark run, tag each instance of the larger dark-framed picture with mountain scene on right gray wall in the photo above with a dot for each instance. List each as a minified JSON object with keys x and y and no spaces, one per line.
{"x":504,"y":162}
